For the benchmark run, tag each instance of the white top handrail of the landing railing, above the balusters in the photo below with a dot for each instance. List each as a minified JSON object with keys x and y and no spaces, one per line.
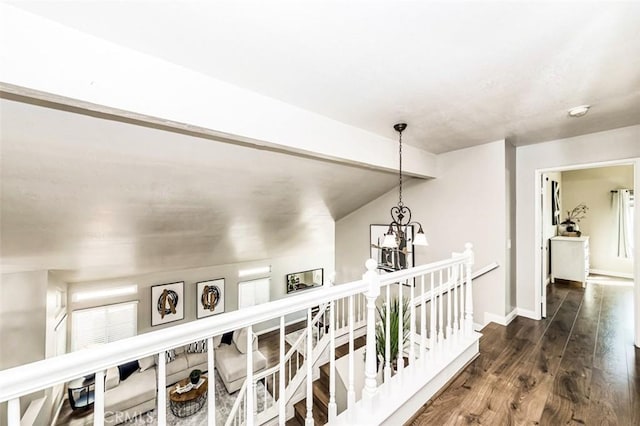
{"x":29,"y":378}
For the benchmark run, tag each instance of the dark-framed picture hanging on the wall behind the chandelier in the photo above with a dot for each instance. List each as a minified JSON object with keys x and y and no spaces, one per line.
{"x":391,"y":259}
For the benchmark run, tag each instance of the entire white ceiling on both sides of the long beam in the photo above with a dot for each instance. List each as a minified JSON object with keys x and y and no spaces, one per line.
{"x":100,"y":198}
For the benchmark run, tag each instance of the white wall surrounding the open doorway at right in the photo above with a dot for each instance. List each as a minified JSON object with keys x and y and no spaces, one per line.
{"x":618,"y":144}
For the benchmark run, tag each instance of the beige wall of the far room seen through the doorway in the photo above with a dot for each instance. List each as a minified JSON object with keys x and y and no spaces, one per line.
{"x":593,"y":187}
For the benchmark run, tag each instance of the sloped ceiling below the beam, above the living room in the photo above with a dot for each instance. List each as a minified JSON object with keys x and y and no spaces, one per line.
{"x":97,"y":198}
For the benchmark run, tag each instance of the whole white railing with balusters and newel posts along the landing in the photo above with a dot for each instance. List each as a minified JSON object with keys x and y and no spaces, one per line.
{"x":447,"y":318}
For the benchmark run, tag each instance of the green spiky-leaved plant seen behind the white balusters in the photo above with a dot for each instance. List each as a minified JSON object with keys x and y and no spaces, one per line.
{"x":394,"y":324}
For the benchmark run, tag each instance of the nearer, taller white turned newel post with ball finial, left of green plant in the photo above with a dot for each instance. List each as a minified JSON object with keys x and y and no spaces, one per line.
{"x":371,"y":277}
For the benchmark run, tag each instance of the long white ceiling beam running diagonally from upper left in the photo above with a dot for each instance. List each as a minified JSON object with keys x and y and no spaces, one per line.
{"x":46,"y":62}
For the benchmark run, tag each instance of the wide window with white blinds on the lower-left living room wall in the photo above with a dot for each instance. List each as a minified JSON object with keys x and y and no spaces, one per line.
{"x":103,"y":324}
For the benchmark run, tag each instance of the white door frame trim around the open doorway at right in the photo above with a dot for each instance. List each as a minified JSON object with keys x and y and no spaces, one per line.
{"x":545,"y":227}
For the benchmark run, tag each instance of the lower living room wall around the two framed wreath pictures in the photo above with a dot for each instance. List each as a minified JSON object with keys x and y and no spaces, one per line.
{"x":310,"y":257}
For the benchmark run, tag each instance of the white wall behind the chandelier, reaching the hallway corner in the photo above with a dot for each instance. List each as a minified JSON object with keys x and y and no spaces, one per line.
{"x":466,"y":203}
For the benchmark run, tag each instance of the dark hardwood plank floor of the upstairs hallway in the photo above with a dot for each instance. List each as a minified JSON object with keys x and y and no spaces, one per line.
{"x":577,"y":367}
